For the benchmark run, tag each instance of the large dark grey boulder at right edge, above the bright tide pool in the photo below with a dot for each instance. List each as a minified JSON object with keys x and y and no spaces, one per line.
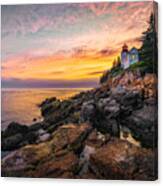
{"x":143,"y":125}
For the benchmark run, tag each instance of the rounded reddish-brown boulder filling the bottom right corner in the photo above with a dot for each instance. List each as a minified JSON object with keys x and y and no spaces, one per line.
{"x":121,"y":160}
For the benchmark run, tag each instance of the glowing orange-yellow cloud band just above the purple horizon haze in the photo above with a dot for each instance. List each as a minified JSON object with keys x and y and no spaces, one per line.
{"x":75,"y":67}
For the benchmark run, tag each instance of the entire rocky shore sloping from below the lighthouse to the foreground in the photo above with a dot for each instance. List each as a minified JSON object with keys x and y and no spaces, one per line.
{"x":105,"y":133}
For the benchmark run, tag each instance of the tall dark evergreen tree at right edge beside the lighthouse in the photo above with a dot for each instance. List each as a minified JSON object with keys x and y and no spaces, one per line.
{"x":149,"y":49}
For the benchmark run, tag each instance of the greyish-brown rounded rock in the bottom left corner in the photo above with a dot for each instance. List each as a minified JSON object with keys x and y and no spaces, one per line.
{"x":18,"y":162}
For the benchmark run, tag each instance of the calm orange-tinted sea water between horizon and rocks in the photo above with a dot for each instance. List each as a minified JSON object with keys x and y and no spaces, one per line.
{"x":20,"y":105}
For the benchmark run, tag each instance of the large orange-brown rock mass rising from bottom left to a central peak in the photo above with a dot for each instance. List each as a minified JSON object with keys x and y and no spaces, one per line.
{"x":56,"y":157}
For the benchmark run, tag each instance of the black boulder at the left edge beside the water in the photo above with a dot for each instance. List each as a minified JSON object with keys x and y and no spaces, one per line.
{"x":17,"y":135}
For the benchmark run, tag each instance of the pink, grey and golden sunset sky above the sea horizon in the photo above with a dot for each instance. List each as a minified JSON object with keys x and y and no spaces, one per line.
{"x":67,"y":45}
